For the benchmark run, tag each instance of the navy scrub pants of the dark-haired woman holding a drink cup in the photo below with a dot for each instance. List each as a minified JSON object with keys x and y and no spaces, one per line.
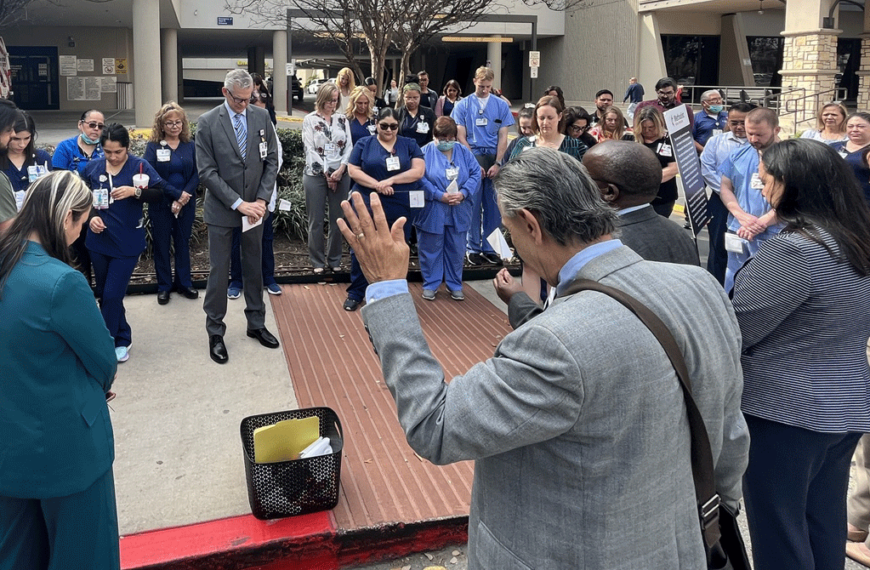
{"x":112,"y":275}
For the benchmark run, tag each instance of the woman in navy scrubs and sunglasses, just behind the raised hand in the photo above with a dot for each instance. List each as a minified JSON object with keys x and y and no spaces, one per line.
{"x":392,"y":166}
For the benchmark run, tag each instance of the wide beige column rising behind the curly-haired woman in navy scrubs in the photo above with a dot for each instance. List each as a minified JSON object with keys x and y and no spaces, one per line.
{"x":146,"y":61}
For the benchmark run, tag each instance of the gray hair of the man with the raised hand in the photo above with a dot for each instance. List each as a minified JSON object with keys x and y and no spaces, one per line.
{"x":558,"y":190}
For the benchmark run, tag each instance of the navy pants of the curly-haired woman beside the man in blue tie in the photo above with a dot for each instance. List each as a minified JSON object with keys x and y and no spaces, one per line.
{"x":164,"y":225}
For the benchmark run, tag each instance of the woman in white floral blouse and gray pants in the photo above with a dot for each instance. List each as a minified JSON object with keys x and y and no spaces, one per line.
{"x":326,"y":136}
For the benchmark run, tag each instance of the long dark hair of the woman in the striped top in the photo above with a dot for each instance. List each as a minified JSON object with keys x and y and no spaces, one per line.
{"x":821,"y":192}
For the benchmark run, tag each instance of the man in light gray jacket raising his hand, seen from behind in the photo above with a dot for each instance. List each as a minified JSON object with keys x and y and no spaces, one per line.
{"x":577,"y":425}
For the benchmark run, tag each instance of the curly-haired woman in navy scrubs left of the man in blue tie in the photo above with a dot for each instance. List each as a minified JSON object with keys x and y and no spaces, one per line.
{"x":173,"y":155}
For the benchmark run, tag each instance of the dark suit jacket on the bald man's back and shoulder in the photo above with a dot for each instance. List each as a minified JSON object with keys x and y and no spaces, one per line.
{"x":655,"y":238}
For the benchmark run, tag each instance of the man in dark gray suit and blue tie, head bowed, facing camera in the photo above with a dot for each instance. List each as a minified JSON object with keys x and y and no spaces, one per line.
{"x":237,"y":159}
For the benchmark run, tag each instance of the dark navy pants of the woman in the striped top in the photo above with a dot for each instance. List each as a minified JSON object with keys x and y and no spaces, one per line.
{"x":795,"y":492}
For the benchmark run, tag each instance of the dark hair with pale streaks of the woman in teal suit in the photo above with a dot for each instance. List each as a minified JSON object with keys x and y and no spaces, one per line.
{"x":48,"y":201}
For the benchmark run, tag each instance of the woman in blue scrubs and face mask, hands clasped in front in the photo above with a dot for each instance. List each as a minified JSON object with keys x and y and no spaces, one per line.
{"x":453,"y":175}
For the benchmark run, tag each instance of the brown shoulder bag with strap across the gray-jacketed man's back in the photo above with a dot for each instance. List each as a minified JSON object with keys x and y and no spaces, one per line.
{"x":723,"y":542}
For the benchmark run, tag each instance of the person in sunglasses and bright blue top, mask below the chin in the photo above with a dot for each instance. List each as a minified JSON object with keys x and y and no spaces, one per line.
{"x":75,"y":154}
